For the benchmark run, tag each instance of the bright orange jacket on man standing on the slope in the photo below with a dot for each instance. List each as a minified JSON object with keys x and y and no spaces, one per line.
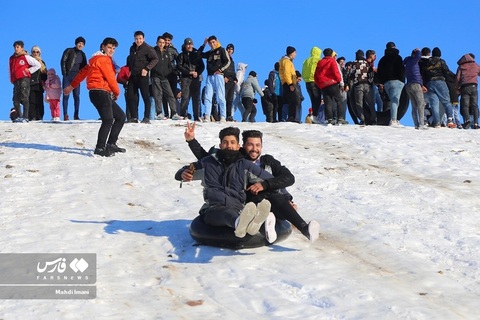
{"x":100,"y":74}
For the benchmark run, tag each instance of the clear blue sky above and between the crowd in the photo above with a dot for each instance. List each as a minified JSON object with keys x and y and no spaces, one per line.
{"x":260,"y":30}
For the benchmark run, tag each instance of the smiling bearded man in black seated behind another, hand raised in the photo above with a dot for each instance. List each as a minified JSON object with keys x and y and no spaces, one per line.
{"x":272,"y":189}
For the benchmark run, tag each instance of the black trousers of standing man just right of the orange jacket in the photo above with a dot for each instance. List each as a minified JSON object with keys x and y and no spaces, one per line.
{"x":135,"y":83}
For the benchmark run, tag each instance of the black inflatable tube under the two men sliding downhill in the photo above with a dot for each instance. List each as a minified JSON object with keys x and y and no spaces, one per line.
{"x":224,"y":237}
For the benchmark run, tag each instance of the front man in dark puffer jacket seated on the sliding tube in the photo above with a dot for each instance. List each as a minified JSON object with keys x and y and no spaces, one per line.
{"x":224,"y":175}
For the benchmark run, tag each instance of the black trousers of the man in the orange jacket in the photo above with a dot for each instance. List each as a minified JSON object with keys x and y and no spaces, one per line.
{"x":112,"y":116}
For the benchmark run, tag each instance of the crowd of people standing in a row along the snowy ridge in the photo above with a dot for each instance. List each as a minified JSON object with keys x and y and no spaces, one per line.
{"x":168,"y":80}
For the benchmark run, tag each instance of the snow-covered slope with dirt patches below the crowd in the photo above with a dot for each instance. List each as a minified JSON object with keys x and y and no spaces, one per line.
{"x":398,"y":208}
